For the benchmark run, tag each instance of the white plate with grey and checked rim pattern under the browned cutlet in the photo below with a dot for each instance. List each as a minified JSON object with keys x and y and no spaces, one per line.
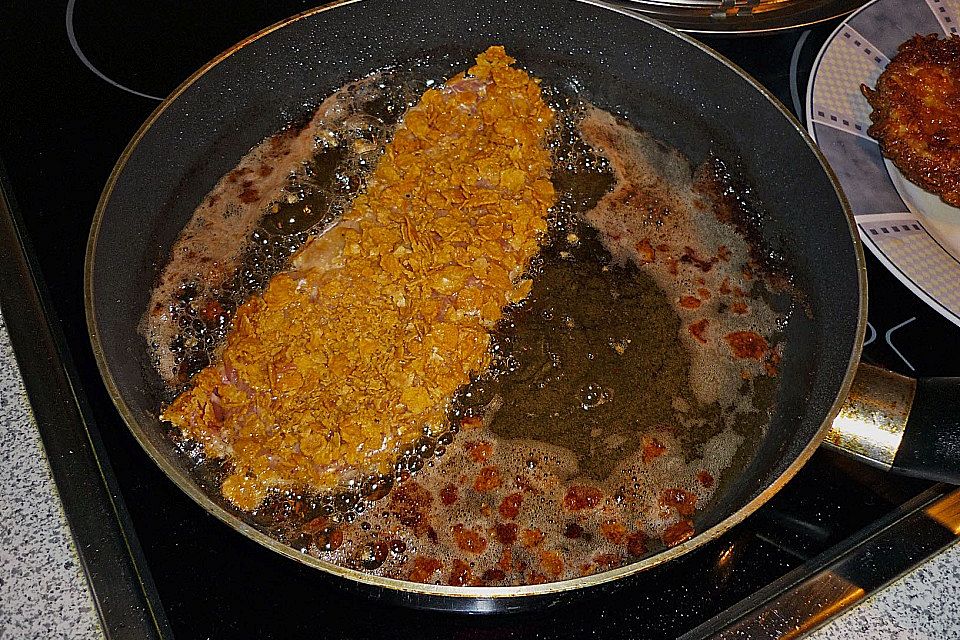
{"x":912,"y":232}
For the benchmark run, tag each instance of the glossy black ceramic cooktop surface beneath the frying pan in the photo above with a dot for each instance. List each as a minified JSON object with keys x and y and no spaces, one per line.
{"x":79,"y":77}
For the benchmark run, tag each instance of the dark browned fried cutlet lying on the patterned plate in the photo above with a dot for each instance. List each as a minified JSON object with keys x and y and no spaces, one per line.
{"x":916,"y":113}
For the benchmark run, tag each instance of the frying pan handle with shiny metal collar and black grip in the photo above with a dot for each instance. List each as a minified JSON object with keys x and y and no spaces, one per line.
{"x":901,"y":424}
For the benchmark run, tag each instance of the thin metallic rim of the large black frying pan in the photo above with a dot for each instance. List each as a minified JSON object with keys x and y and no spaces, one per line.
{"x":188,"y":486}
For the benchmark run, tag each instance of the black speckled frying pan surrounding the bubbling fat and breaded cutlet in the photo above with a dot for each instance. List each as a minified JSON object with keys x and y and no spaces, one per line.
{"x":660,"y":80}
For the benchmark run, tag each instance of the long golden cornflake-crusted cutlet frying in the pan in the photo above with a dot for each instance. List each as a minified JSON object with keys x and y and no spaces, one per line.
{"x":361,"y":343}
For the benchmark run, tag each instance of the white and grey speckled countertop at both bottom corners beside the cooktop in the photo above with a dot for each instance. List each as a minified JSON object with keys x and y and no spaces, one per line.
{"x":44,"y":594}
